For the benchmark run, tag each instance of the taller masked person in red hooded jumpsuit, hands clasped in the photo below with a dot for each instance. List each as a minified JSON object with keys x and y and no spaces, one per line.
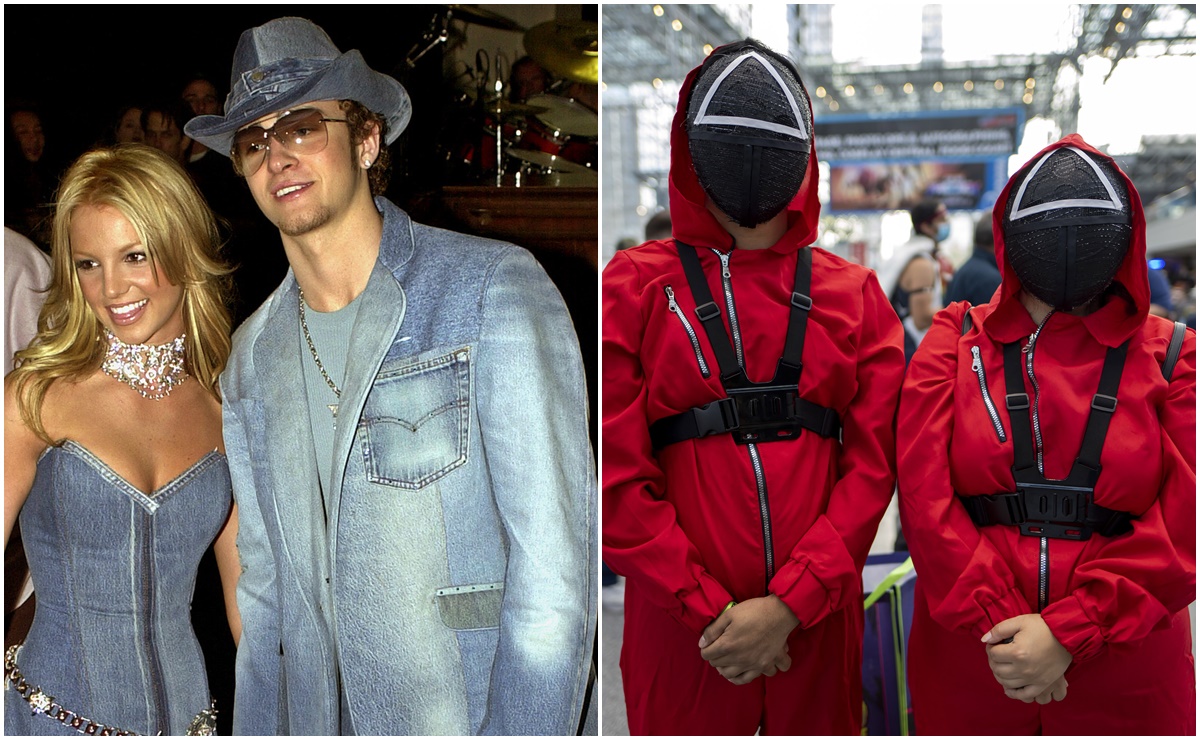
{"x":751,"y":382}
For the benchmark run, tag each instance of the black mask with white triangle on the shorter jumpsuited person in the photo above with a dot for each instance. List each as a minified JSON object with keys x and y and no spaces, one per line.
{"x":1067,"y":227}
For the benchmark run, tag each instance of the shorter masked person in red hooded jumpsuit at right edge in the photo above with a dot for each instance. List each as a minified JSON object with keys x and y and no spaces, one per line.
{"x":1048,"y":478}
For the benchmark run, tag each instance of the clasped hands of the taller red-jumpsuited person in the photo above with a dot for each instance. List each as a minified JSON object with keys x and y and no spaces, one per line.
{"x":749,"y":640}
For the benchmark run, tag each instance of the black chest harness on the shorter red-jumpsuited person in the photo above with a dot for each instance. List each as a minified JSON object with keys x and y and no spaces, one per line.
{"x":1065,"y":509}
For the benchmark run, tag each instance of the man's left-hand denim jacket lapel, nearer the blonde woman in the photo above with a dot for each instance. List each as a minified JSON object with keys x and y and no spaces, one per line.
{"x":296,"y":489}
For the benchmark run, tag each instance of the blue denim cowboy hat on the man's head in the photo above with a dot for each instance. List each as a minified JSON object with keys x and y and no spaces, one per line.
{"x":289,"y":62}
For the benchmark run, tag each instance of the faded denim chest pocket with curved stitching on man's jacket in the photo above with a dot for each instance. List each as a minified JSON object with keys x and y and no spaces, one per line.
{"x":416,"y":422}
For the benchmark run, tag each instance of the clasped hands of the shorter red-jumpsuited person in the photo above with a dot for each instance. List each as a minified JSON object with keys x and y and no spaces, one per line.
{"x":1031,"y":666}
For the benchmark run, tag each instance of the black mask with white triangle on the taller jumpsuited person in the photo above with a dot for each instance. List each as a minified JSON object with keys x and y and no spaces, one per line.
{"x":751,"y":133}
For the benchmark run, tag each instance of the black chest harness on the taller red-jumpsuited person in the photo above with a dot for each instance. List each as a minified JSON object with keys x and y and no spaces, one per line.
{"x":753,"y":412}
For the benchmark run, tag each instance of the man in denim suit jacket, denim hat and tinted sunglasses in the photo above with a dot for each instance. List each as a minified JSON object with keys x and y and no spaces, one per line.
{"x":407,"y":434}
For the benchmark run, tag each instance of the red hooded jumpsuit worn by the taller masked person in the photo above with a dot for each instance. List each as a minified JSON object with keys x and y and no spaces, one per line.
{"x":688,"y":526}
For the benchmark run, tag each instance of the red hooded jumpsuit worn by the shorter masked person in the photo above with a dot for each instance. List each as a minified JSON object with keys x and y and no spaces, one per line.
{"x":1118,"y":605}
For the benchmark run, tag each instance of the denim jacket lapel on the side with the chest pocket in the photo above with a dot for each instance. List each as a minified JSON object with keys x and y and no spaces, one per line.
{"x":375,"y":330}
